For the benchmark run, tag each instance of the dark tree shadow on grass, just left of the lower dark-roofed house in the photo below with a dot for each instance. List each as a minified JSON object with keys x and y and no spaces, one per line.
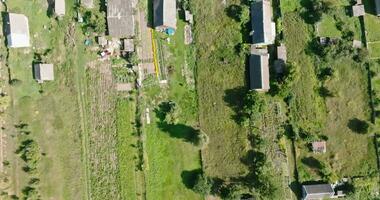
{"x":234,"y":99}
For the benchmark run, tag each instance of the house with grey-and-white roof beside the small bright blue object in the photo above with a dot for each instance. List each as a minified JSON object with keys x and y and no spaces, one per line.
{"x":165,"y":15}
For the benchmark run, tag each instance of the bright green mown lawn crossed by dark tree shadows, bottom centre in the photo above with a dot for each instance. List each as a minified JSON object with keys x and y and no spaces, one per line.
{"x":172,"y":155}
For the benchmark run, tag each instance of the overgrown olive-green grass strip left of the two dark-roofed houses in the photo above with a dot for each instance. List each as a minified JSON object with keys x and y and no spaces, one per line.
{"x":220,"y":87}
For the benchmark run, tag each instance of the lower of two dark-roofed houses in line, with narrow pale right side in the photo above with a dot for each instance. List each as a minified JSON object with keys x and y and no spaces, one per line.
{"x":259,"y":72}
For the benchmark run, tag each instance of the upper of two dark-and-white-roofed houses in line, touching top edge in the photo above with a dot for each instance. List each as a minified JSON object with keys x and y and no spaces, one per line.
{"x":263,"y":28}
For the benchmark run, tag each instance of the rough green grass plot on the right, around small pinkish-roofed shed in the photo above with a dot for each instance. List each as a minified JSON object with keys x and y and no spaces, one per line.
{"x":311,"y":113}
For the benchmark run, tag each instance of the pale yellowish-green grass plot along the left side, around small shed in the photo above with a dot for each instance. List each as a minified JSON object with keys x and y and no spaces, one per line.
{"x":52,"y":114}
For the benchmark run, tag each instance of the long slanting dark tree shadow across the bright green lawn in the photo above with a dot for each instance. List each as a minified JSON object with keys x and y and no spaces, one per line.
{"x":181,"y":131}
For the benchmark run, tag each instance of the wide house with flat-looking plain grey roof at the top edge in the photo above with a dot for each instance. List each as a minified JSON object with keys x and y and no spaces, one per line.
{"x":120,"y":18}
